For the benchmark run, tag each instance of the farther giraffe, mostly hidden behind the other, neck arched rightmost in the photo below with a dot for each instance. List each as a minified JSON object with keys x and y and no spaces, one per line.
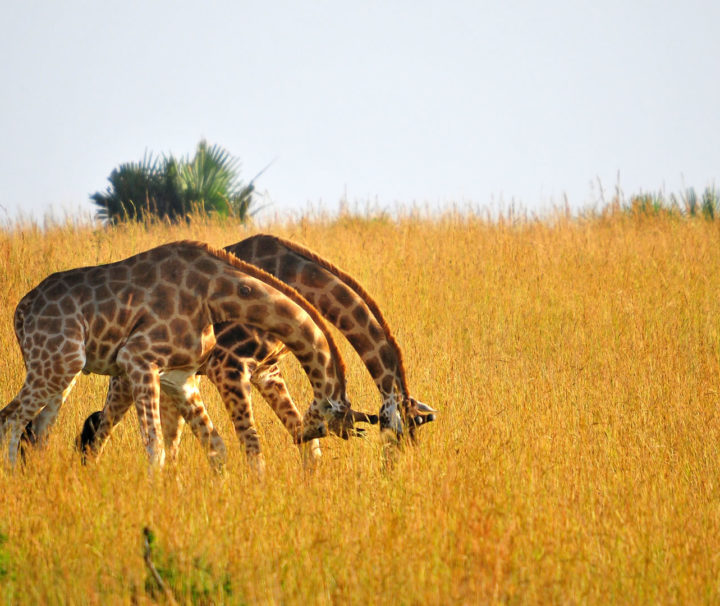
{"x":245,"y":356}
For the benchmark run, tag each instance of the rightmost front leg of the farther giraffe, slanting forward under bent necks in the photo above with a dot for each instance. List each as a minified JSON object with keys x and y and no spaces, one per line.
{"x":271,"y":385}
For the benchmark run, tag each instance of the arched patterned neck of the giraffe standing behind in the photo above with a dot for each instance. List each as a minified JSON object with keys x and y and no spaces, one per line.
{"x":340,"y":299}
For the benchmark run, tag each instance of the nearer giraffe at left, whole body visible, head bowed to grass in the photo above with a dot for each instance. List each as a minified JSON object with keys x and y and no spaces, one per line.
{"x":149,"y":320}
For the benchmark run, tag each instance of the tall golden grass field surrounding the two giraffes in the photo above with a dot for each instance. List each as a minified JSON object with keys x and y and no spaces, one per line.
{"x":574,"y":460}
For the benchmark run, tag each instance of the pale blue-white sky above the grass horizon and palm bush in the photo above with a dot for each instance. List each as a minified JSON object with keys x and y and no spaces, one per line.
{"x":427,"y":103}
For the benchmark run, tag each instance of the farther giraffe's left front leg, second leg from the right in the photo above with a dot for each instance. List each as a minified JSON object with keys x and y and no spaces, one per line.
{"x":232,"y":381}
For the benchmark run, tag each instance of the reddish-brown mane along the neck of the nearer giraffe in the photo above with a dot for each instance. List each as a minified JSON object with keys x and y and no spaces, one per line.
{"x":289,"y":291}
